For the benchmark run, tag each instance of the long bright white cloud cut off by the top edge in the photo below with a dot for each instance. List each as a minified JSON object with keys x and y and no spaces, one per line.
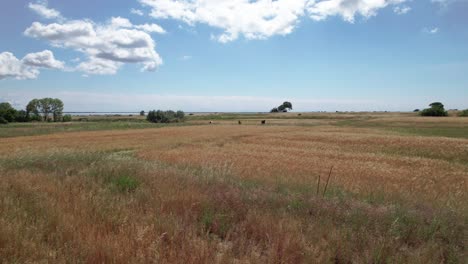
{"x":260,"y":19}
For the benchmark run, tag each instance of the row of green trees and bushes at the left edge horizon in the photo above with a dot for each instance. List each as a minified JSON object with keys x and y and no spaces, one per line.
{"x":38,"y":110}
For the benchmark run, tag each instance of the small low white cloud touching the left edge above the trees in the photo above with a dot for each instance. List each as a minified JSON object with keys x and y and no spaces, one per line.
{"x":28,"y":67}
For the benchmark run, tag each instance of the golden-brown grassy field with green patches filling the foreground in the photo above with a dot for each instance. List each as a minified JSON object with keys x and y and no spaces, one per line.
{"x":309,"y":188}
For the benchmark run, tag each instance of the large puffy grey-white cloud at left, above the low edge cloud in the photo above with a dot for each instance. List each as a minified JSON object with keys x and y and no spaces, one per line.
{"x":107,"y":46}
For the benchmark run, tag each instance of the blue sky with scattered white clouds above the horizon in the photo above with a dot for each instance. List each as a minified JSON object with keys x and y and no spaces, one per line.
{"x":235,"y":55}
